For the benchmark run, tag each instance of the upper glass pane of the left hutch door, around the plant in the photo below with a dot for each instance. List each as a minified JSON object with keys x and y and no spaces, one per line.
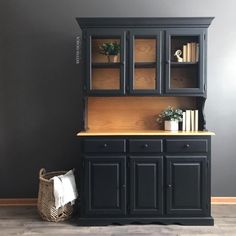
{"x":97,"y":53}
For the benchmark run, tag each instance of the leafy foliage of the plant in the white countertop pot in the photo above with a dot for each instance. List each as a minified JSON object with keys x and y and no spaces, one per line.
{"x":170,"y":114}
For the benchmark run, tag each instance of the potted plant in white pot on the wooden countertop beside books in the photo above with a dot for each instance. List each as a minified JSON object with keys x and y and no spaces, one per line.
{"x":170,"y":117}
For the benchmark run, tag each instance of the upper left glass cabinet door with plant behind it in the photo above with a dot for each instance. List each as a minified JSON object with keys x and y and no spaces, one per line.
{"x":105,"y":74}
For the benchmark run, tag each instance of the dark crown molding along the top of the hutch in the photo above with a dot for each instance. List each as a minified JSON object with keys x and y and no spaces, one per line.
{"x":135,"y":22}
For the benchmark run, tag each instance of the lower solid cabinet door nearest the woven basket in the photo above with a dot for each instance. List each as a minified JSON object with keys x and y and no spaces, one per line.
{"x":105,"y":185}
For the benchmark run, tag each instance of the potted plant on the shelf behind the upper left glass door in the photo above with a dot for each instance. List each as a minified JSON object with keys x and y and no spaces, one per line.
{"x":111,"y":50}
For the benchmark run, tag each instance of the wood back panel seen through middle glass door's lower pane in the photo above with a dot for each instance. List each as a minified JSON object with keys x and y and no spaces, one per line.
{"x":144,"y":78}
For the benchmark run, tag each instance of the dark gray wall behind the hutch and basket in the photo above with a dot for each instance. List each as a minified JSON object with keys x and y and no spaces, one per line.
{"x":40,"y":98}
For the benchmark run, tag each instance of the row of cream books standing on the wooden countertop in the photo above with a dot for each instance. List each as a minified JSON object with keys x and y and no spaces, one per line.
{"x":190,"y":120}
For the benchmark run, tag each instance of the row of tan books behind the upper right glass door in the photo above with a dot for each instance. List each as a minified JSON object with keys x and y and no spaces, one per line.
{"x":191,"y":52}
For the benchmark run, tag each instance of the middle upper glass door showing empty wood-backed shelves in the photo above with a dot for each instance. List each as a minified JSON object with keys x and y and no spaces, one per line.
{"x":145,"y":61}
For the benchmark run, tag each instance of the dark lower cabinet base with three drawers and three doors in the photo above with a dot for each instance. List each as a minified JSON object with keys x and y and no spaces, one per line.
{"x":122,"y":183}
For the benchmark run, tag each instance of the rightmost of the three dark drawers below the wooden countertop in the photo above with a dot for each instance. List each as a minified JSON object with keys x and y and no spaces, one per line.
{"x":186,"y":145}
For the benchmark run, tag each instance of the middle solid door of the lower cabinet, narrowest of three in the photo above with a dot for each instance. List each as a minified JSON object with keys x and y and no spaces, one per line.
{"x":146,"y":182}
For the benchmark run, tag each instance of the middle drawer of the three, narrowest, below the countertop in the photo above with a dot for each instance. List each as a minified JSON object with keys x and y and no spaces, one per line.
{"x":145,"y":145}
